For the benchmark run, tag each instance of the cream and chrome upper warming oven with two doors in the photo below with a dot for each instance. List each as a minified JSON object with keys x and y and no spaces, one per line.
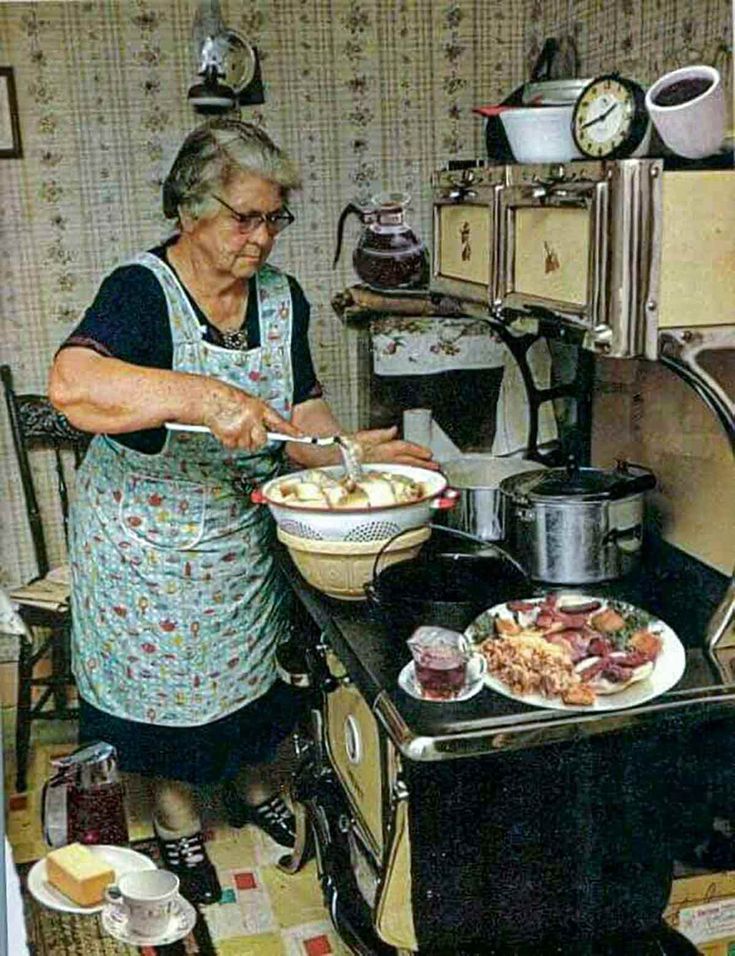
{"x":619,"y":251}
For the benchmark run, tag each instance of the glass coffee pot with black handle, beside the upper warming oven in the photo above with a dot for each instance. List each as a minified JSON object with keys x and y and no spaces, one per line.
{"x":388,"y":254}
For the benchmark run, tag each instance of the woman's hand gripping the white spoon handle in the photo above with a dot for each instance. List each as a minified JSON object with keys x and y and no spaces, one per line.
{"x":240,"y":420}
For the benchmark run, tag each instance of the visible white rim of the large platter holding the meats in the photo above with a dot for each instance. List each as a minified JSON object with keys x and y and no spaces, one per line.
{"x":668,"y":666}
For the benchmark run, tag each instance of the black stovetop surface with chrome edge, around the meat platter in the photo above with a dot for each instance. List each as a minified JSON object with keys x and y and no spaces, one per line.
{"x":671,"y":585}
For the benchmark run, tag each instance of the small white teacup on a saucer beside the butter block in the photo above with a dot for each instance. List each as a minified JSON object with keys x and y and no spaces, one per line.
{"x":143,"y":900}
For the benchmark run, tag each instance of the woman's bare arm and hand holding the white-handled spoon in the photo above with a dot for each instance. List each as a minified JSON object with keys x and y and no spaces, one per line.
{"x":102,"y":394}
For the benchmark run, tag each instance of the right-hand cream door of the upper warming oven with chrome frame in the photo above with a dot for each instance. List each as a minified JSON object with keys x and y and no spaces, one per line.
{"x":579,"y":245}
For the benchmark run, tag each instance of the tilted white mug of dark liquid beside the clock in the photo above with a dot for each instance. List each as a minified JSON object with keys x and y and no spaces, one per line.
{"x":687,"y":107}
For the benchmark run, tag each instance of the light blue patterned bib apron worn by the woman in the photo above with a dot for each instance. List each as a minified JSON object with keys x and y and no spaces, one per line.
{"x":177,"y":603}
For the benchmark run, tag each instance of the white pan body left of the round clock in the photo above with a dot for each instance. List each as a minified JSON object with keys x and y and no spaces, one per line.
{"x":541,"y":134}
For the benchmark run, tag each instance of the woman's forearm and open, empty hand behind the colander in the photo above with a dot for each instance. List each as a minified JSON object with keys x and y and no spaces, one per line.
{"x":314,"y":417}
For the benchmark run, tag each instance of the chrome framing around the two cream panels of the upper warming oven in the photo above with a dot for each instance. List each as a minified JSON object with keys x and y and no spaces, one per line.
{"x":625,"y":201}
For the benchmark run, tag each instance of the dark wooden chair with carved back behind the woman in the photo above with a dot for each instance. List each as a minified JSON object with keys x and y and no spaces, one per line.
{"x":43,"y":601}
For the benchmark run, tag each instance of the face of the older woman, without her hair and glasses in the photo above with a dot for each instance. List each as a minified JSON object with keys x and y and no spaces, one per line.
{"x":230,"y":246}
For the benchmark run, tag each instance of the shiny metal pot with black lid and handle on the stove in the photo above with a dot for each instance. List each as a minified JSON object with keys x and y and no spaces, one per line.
{"x":576,"y":525}
